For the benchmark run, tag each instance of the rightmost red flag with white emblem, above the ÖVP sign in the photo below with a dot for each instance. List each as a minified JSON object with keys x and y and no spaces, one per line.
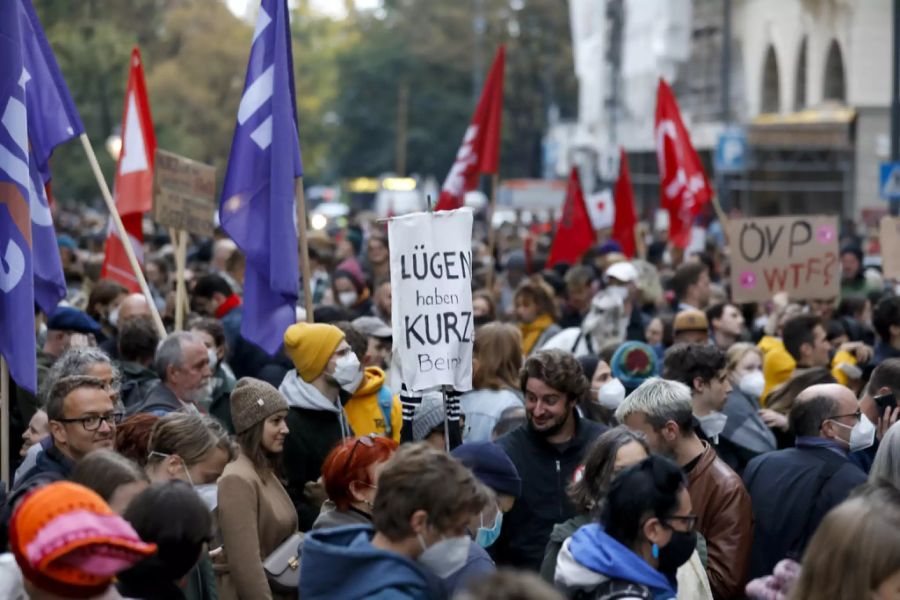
{"x":683,"y":186}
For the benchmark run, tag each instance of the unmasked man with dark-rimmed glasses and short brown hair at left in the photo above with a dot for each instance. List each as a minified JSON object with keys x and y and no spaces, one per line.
{"x":82,"y":417}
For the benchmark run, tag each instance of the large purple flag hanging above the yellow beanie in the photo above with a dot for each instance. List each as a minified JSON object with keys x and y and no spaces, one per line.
{"x":257,"y":207}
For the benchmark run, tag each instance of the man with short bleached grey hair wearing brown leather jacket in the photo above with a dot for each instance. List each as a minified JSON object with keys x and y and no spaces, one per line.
{"x":662,"y":410}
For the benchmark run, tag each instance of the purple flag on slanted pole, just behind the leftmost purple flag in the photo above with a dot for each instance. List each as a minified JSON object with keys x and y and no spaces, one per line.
{"x":52,"y":120}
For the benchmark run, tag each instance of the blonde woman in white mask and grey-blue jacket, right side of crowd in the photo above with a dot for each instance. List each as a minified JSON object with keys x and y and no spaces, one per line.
{"x":745,"y":429}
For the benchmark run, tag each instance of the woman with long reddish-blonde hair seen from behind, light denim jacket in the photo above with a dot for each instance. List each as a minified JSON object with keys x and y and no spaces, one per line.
{"x":497,"y":359}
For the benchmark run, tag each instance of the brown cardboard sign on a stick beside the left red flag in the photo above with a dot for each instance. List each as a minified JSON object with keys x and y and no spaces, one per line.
{"x":184,"y":193}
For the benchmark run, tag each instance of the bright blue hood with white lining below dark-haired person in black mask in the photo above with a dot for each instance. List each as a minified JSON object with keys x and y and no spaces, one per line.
{"x":590,"y":557}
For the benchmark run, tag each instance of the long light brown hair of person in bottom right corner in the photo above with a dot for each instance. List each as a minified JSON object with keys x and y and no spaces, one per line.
{"x":855,"y":552}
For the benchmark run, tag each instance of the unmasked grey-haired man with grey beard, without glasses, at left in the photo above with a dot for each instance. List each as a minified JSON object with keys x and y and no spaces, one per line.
{"x":183,"y":366}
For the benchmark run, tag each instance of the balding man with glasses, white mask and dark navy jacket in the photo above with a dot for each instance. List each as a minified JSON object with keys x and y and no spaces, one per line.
{"x":792,"y":489}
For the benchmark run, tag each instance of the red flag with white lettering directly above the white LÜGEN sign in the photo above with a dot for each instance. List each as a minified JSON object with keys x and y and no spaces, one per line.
{"x":480,"y":149}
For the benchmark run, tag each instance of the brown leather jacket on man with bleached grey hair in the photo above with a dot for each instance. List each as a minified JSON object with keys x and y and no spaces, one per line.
{"x":726,"y":521}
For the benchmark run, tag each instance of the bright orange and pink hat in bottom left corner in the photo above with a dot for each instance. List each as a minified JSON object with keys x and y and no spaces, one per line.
{"x":68,"y":542}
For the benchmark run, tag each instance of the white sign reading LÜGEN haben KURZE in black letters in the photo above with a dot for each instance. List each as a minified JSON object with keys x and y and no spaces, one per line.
{"x":431,"y":284}
